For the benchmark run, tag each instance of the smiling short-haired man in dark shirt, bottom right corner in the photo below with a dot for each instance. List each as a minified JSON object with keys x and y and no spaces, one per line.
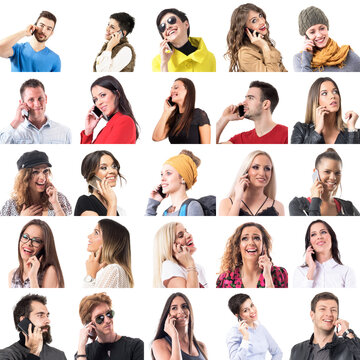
{"x":332,"y":338}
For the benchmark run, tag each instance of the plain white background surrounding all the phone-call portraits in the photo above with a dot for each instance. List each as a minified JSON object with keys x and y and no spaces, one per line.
{"x":77,"y":39}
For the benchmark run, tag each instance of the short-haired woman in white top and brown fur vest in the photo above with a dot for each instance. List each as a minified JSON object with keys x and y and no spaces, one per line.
{"x":117,"y":54}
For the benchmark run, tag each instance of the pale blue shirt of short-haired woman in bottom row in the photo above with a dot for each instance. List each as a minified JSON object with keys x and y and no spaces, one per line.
{"x":260,"y":341}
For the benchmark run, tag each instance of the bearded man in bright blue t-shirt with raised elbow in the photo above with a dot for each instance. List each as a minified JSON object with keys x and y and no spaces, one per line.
{"x":32,"y":56}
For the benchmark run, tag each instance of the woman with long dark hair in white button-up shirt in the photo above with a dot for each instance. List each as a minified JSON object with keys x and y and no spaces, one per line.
{"x":323,"y":267}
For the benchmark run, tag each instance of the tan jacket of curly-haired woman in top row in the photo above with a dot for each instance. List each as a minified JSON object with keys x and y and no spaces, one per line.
{"x":253,"y":61}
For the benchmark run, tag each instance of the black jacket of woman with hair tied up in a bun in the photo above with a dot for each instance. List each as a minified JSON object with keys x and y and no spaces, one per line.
{"x":302,"y":207}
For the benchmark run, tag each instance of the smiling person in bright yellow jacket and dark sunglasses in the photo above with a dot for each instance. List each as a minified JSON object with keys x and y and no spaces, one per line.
{"x":178,"y":51}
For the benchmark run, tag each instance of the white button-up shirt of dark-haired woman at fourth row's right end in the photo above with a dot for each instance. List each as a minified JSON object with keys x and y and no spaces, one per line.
{"x":329,"y":274}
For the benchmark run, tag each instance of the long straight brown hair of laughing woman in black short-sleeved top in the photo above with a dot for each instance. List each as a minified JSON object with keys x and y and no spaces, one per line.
{"x":177,"y":122}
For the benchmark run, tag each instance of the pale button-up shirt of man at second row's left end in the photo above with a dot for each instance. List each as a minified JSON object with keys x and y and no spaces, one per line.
{"x":26,"y":133}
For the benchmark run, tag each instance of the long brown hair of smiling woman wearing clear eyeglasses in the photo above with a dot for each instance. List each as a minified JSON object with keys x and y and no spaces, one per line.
{"x":49,"y":257}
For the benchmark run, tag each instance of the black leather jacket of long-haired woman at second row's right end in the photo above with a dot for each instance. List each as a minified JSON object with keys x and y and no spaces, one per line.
{"x":306,"y":134}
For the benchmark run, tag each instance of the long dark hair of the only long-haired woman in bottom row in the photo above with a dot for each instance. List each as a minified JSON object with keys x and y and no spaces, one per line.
{"x":160,"y":332}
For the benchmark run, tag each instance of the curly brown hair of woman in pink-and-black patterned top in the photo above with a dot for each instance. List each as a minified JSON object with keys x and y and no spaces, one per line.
{"x":232,"y":255}
